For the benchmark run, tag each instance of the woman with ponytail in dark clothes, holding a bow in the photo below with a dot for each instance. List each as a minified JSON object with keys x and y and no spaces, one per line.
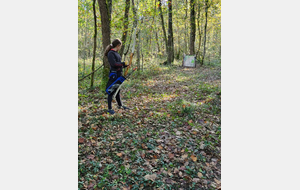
{"x":116,"y":68}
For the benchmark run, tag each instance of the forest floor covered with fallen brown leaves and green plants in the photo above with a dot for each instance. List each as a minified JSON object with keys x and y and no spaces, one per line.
{"x":170,"y":139}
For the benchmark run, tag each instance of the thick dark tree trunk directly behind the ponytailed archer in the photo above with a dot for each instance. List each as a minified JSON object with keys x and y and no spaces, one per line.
{"x":105,"y":39}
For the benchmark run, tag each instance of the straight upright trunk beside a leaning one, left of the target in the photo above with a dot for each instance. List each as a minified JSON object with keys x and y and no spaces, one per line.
{"x":170,"y":36}
